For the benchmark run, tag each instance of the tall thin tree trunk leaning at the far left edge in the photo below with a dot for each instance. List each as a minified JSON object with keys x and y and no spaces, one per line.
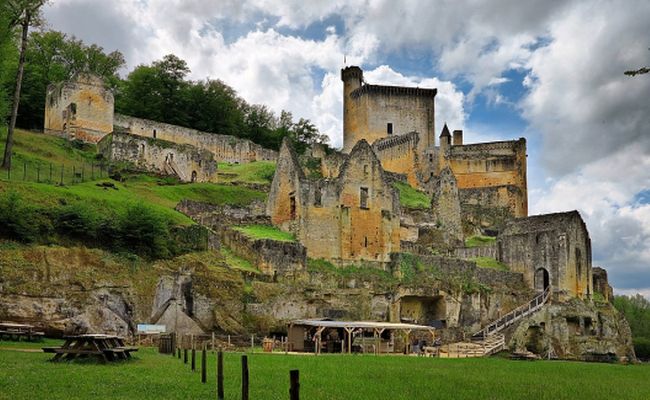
{"x":24,"y":13}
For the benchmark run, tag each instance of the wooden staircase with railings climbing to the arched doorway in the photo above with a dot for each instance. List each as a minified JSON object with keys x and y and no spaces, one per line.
{"x":488,"y":340}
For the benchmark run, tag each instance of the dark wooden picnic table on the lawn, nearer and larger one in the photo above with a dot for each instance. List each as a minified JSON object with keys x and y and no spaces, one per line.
{"x":103,"y":347}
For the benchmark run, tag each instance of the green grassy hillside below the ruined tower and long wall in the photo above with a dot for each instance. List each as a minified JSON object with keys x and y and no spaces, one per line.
{"x":25,"y":199}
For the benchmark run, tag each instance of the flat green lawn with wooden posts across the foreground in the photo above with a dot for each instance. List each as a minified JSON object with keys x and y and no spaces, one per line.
{"x":154,"y":376}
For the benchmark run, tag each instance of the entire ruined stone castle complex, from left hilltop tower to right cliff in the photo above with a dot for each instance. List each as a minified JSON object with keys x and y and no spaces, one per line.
{"x":345,"y":207}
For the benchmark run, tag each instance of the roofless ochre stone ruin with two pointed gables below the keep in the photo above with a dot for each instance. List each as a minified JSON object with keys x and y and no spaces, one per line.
{"x":353,"y":217}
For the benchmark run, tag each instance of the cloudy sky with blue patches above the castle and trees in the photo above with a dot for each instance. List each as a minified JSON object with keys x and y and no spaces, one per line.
{"x":550,"y":71}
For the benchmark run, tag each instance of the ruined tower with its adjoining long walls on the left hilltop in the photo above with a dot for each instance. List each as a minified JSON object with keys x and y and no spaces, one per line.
{"x":83,"y":109}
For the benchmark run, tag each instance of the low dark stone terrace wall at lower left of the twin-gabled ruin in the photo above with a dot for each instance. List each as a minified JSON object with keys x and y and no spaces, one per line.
{"x":272,"y":257}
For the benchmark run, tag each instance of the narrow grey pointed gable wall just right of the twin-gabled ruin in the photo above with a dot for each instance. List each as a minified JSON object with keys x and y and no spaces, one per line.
{"x":446,"y":208}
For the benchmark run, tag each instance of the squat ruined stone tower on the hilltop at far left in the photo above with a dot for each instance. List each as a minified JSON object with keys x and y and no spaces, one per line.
{"x":79,"y":109}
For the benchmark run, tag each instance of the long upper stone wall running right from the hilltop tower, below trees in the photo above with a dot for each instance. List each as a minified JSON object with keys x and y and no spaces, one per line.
{"x":225,"y":148}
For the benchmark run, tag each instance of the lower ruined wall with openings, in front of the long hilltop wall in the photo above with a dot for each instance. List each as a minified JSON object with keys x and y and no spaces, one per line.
{"x":161,"y":157}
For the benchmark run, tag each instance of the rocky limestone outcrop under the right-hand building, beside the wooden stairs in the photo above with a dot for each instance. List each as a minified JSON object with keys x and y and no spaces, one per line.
{"x":576,"y":330}
